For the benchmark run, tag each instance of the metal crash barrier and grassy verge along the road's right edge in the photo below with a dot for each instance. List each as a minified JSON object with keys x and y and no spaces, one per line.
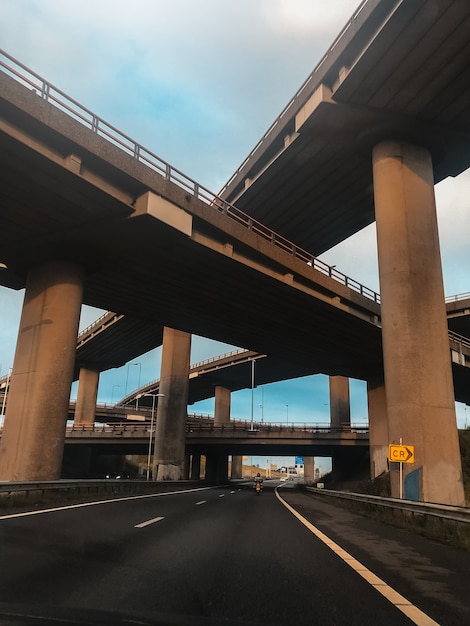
{"x":445,"y":523}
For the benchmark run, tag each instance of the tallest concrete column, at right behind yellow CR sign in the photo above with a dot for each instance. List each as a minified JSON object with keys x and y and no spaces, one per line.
{"x":418,"y":376}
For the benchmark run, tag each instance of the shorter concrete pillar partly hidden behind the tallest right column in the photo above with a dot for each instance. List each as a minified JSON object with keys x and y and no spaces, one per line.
{"x":378,"y":426}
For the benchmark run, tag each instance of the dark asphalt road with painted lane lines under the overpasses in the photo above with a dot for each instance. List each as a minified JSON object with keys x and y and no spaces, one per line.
{"x":224,"y":556}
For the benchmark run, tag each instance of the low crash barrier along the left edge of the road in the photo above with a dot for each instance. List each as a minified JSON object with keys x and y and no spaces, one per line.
{"x":60,"y":491}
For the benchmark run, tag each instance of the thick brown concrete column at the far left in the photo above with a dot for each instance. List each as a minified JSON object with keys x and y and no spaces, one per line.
{"x":32,"y":443}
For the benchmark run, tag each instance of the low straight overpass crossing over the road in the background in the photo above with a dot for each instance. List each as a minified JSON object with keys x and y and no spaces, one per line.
{"x":348,"y":445}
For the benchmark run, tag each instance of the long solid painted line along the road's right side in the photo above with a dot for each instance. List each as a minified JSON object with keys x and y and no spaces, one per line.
{"x":402,"y":604}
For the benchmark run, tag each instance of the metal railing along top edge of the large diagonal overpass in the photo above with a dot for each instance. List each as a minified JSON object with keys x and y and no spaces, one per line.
{"x":48,"y":92}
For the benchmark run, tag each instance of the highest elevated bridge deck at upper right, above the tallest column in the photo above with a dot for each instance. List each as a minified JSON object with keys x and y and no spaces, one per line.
{"x":399,"y":68}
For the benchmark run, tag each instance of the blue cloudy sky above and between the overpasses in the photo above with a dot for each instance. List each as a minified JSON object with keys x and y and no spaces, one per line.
{"x":198,"y":82}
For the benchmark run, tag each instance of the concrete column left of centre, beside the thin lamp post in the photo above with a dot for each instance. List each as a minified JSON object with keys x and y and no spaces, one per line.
{"x":172,"y":409}
